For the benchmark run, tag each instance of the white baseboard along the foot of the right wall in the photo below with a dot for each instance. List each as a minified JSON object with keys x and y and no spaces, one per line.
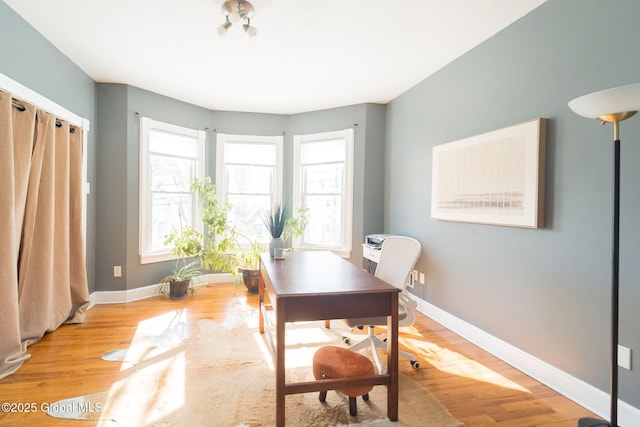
{"x":573,"y":388}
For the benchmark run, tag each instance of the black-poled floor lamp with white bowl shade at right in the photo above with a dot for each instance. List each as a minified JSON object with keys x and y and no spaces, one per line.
{"x":612,"y":106}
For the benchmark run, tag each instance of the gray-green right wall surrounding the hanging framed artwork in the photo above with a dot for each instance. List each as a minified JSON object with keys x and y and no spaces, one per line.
{"x":545,"y":291}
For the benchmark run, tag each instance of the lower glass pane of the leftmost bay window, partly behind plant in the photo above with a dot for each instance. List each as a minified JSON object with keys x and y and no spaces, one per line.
{"x":168,"y":212}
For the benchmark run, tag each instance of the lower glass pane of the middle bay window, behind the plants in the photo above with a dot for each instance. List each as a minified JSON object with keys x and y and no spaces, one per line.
{"x":247,"y":215}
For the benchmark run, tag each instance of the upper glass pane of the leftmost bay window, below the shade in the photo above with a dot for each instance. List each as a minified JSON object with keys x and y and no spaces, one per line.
{"x":171,"y":173}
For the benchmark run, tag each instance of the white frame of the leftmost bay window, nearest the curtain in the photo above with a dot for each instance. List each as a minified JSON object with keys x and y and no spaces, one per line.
{"x":147,"y":124}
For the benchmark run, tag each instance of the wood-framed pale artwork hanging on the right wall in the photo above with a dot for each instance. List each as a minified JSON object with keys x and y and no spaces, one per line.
{"x":492,"y":178}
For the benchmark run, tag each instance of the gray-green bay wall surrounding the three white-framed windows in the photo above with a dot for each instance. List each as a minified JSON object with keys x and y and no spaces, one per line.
{"x":118,"y":168}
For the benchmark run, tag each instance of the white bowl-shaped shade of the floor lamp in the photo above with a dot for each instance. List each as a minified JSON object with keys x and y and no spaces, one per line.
{"x":609,"y":101}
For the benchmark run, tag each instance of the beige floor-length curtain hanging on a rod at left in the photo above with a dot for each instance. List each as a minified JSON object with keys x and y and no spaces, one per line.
{"x":43,"y":281}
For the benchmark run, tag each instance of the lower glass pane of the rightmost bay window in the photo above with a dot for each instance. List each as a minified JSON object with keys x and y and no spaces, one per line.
{"x":325,"y":220}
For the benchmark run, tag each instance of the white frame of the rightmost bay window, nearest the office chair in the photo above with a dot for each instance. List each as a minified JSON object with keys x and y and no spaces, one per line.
{"x":345,"y":246}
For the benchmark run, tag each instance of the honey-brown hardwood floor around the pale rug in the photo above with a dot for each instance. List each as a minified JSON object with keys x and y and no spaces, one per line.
{"x":477,"y":388}
